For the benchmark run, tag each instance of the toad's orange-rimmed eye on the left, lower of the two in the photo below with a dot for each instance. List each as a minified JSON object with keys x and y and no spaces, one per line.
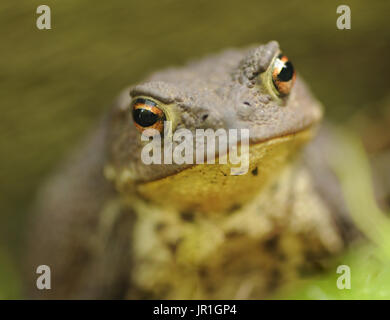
{"x":147,"y":115}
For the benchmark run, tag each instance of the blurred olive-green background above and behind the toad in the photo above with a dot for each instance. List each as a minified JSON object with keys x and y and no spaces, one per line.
{"x":56,"y":83}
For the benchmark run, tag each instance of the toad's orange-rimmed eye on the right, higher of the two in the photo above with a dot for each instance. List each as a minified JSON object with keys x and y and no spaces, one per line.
{"x":283,"y":75}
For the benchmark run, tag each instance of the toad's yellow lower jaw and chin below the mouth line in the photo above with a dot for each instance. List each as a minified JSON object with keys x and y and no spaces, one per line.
{"x":211,"y":187}
